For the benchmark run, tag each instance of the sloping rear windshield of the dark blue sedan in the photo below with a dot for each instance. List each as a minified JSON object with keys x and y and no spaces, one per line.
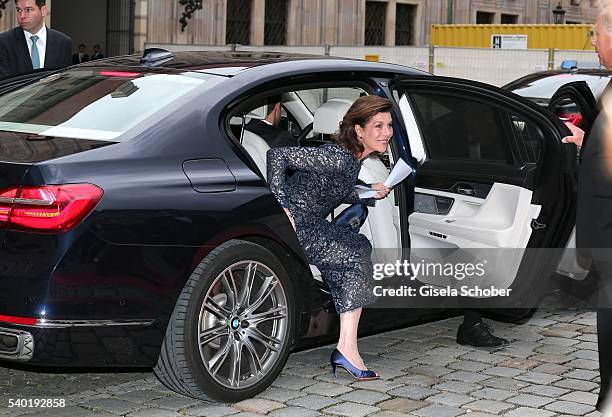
{"x":95,"y":105}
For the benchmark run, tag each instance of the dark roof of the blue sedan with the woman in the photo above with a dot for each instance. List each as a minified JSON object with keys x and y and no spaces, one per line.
{"x":211,"y":60}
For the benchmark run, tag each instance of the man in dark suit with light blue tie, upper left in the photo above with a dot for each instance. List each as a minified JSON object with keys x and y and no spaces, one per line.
{"x":32,"y":45}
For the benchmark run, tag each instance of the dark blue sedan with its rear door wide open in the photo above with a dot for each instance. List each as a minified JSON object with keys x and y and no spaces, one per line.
{"x":137,"y":227}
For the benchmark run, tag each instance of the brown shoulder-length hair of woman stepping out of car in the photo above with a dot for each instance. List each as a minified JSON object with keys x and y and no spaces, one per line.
{"x":360,"y":113}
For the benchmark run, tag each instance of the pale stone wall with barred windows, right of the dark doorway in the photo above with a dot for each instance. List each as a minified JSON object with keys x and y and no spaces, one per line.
{"x":344,"y":22}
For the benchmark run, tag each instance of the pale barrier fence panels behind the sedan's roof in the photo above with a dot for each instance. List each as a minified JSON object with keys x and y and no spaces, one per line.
{"x":492,"y":66}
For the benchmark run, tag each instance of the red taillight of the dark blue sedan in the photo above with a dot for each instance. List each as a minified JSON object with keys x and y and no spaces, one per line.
{"x":47,"y":208}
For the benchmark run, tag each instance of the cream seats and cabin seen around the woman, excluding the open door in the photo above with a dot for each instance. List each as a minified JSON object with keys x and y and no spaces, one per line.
{"x":312,"y":117}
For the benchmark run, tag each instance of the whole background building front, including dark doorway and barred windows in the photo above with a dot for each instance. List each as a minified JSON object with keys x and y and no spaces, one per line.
{"x":126,"y":25}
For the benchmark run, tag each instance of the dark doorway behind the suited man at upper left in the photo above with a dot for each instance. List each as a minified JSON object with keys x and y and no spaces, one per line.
{"x":108,"y":23}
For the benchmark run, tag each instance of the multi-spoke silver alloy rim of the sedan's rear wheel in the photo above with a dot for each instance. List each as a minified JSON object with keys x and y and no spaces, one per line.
{"x":243,"y":324}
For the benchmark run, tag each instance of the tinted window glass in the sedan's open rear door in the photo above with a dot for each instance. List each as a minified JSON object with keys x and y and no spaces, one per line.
{"x":459,"y":128}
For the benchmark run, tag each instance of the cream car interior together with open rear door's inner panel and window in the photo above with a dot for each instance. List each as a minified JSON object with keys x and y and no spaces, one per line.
{"x":468,"y":216}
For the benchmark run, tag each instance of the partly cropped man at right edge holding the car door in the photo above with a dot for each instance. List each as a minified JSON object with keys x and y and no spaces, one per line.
{"x":594,"y":210}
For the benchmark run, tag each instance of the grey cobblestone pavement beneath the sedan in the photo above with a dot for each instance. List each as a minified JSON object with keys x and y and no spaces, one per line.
{"x":550,"y":369}
